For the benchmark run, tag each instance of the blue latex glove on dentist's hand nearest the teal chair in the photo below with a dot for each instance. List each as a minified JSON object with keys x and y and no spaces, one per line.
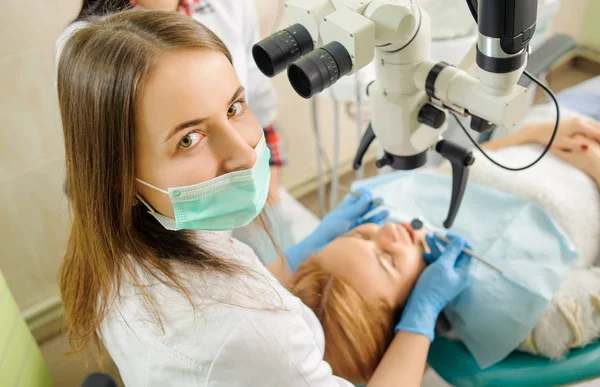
{"x":443,"y":280}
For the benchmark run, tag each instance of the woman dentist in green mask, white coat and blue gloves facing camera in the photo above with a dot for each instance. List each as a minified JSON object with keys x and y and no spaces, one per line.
{"x":161,"y":152}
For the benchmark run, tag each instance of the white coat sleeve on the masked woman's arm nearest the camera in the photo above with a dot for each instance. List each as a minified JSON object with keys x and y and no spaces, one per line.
{"x":272,"y":348}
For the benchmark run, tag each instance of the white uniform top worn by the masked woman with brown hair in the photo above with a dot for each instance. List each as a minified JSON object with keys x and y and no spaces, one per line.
{"x":232,"y":339}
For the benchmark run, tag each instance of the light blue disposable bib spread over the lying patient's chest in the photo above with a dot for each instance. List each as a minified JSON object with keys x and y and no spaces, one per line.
{"x":494,"y":314}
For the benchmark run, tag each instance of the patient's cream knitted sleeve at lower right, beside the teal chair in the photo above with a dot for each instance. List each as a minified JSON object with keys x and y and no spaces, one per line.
{"x":572,"y":318}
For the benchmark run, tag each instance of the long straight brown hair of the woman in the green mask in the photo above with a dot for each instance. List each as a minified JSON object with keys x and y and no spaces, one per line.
{"x":101,"y":73}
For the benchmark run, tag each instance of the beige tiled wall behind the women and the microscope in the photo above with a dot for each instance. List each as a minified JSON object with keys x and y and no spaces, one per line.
{"x":34,"y":224}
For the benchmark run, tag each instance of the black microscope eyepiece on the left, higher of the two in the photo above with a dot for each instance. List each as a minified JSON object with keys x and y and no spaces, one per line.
{"x":274,"y":53}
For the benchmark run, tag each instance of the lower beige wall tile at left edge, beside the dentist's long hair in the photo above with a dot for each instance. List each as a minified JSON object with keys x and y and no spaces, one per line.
{"x":33,"y":232}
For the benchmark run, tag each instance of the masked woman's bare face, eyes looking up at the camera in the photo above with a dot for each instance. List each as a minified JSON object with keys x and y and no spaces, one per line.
{"x":193,"y":124}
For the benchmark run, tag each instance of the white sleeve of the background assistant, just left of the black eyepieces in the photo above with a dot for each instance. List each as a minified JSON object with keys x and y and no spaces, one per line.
{"x":262,"y":98}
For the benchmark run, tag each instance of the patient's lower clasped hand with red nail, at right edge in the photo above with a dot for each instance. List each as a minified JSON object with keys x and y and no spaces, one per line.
{"x":585,"y":156}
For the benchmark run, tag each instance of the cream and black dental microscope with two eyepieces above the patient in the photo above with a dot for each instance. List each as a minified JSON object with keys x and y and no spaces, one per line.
{"x":412,"y":95}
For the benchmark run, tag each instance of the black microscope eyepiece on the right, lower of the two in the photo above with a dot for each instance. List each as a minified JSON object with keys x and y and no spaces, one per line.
{"x":320,"y":69}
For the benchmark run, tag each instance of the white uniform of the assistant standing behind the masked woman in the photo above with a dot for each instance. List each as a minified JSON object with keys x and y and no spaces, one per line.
{"x":235,"y":23}
